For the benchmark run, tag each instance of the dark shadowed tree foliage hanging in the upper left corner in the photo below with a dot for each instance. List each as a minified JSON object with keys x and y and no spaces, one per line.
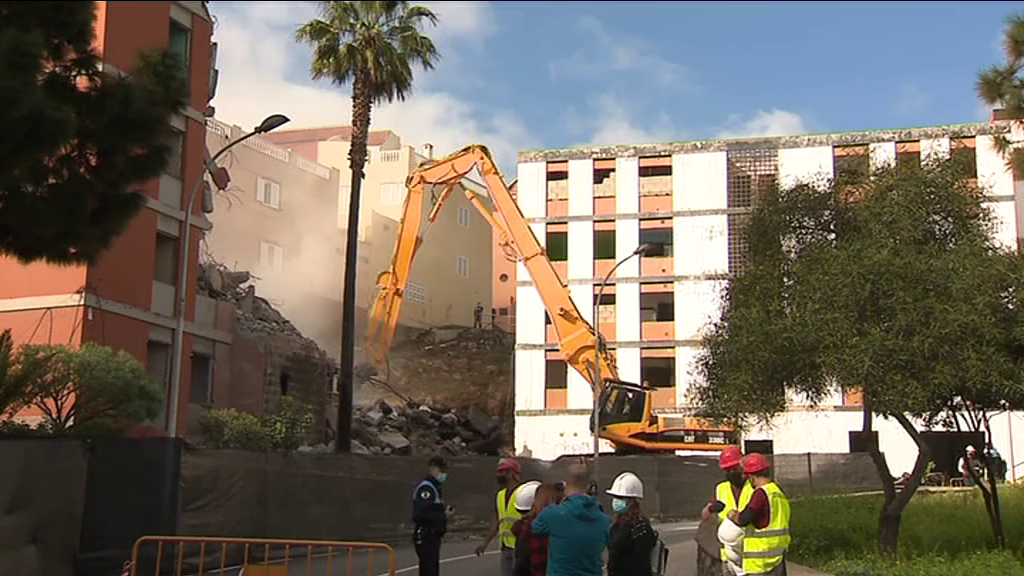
{"x":77,"y":143}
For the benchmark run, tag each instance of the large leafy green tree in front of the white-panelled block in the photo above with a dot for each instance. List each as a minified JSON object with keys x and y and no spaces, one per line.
{"x":890,"y":284}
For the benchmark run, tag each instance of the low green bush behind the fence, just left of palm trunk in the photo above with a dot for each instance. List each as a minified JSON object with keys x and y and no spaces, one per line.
{"x":285,"y":429}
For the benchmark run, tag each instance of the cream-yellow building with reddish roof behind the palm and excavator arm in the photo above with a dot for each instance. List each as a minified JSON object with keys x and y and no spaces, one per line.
{"x":453,"y":269}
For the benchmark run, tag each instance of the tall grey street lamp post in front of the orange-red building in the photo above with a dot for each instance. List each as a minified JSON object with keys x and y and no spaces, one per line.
{"x":270,"y":124}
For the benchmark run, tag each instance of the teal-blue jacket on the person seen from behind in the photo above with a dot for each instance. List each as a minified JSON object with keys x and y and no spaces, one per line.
{"x":578,"y":532}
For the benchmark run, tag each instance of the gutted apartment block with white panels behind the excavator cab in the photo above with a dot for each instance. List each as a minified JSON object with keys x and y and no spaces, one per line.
{"x":688,"y":198}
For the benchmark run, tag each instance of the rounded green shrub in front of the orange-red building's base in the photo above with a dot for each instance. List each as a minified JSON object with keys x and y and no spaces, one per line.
{"x":90,"y":391}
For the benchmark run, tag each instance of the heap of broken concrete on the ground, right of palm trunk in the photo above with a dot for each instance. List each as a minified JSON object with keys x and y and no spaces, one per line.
{"x":419,"y":430}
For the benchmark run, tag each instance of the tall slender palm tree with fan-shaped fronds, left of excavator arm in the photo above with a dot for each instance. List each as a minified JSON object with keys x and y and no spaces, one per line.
{"x":374,"y":47}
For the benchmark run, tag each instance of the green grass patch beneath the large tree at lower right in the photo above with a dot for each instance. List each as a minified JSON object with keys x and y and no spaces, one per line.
{"x":941,"y":534}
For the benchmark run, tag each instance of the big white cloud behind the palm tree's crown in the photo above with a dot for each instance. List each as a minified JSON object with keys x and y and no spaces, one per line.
{"x":264,"y":71}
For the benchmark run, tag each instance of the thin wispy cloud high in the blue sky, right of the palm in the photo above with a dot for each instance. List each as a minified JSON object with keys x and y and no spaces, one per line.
{"x":616,"y":53}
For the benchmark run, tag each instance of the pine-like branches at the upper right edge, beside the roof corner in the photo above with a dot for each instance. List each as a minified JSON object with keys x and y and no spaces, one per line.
{"x":1004,"y":87}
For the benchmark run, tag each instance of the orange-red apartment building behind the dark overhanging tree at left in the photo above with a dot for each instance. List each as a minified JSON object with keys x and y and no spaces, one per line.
{"x":127,"y":299}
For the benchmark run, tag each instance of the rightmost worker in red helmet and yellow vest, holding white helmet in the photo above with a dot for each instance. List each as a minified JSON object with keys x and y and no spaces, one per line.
{"x":766,"y":520}
